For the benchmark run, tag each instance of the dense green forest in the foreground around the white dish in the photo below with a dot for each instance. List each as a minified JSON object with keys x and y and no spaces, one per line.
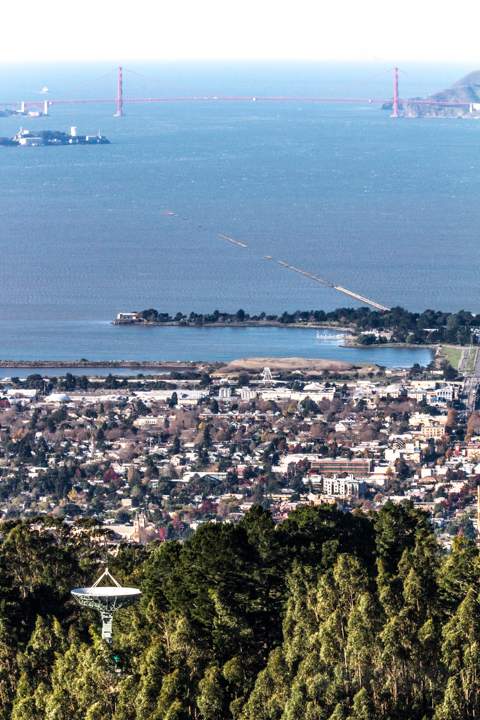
{"x":325,"y":616}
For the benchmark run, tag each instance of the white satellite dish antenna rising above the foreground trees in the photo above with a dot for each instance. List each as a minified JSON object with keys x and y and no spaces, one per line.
{"x":107,"y":599}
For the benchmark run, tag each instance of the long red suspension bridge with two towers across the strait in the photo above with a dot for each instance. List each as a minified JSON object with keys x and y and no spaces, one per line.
{"x":119,"y":99}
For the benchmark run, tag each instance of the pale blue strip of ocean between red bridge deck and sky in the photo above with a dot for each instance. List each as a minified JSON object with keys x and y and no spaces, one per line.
{"x":244,"y":77}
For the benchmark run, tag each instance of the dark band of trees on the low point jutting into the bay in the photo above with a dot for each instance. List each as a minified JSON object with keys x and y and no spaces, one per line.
{"x":430,"y":326}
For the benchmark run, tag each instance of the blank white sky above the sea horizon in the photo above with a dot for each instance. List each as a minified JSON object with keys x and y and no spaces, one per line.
{"x":340,"y":30}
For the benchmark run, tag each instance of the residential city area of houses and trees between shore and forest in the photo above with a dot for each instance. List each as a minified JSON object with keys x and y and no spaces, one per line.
{"x":152,"y":458}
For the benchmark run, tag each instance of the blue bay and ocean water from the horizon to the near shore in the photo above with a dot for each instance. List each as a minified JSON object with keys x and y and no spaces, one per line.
{"x":389,"y":209}
